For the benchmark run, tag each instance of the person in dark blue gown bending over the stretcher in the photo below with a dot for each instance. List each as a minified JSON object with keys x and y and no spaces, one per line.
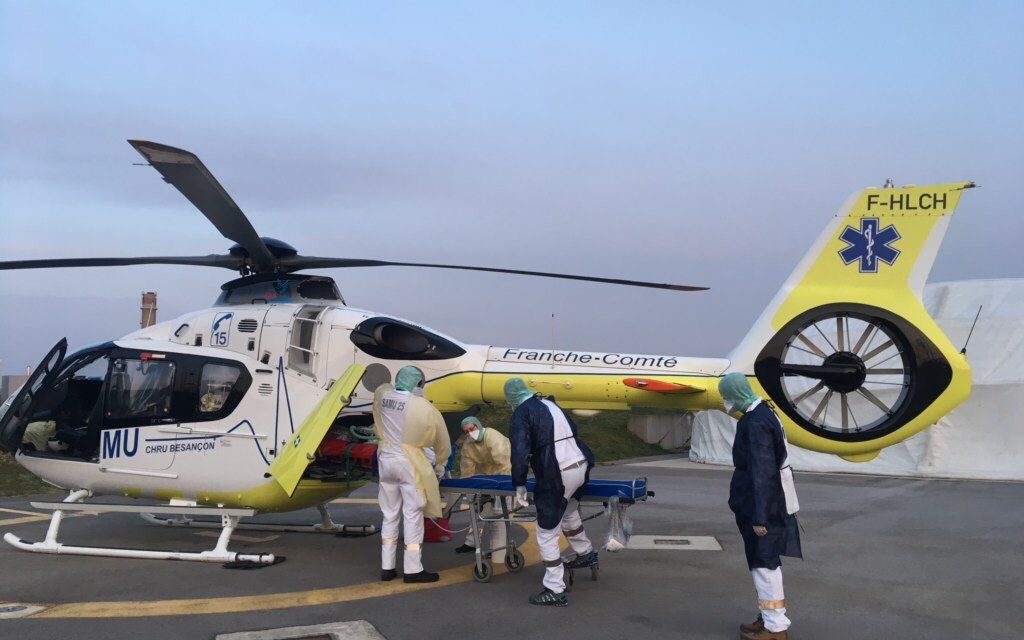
{"x":544,"y":440}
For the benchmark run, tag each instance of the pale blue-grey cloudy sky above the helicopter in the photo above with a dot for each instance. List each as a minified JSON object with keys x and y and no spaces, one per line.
{"x":693,"y":144}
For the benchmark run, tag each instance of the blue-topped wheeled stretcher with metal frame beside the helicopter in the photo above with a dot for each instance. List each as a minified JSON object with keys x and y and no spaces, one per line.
{"x":478,"y":498}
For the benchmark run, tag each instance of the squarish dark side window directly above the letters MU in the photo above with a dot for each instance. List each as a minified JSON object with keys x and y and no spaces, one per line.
{"x":140,"y":390}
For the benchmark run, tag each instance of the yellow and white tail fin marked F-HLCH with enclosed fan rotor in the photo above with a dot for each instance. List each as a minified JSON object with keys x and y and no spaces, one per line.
{"x":846,"y":350}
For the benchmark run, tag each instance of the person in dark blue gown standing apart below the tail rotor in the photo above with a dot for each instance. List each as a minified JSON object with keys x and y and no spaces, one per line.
{"x":757,"y":498}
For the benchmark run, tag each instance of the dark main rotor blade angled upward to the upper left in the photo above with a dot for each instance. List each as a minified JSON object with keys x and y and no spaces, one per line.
{"x":188,"y":175}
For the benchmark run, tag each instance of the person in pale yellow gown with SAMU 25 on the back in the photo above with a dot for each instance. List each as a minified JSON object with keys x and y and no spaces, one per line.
{"x":406,"y":424}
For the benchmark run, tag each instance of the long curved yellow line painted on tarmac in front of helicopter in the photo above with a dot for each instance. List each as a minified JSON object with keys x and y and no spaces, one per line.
{"x":235,"y":605}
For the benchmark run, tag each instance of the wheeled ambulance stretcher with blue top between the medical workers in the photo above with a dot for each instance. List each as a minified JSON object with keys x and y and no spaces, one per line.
{"x":480,"y":490}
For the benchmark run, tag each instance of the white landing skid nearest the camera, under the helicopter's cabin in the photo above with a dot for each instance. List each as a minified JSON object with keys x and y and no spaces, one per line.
{"x":229,"y":523}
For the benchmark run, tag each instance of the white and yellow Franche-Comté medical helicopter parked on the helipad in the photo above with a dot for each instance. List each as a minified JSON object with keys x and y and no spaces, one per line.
{"x":228,"y":411}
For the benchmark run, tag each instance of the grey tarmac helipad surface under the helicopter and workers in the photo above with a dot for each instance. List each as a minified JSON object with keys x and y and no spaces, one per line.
{"x":885,"y":559}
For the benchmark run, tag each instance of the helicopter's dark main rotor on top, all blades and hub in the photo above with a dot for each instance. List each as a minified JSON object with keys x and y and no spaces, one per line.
{"x":257,"y":255}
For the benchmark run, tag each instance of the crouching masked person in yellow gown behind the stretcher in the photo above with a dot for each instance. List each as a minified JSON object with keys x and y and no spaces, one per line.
{"x":486,"y":452}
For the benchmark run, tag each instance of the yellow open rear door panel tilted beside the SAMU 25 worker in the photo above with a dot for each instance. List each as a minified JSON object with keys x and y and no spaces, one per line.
{"x":288,"y":467}
